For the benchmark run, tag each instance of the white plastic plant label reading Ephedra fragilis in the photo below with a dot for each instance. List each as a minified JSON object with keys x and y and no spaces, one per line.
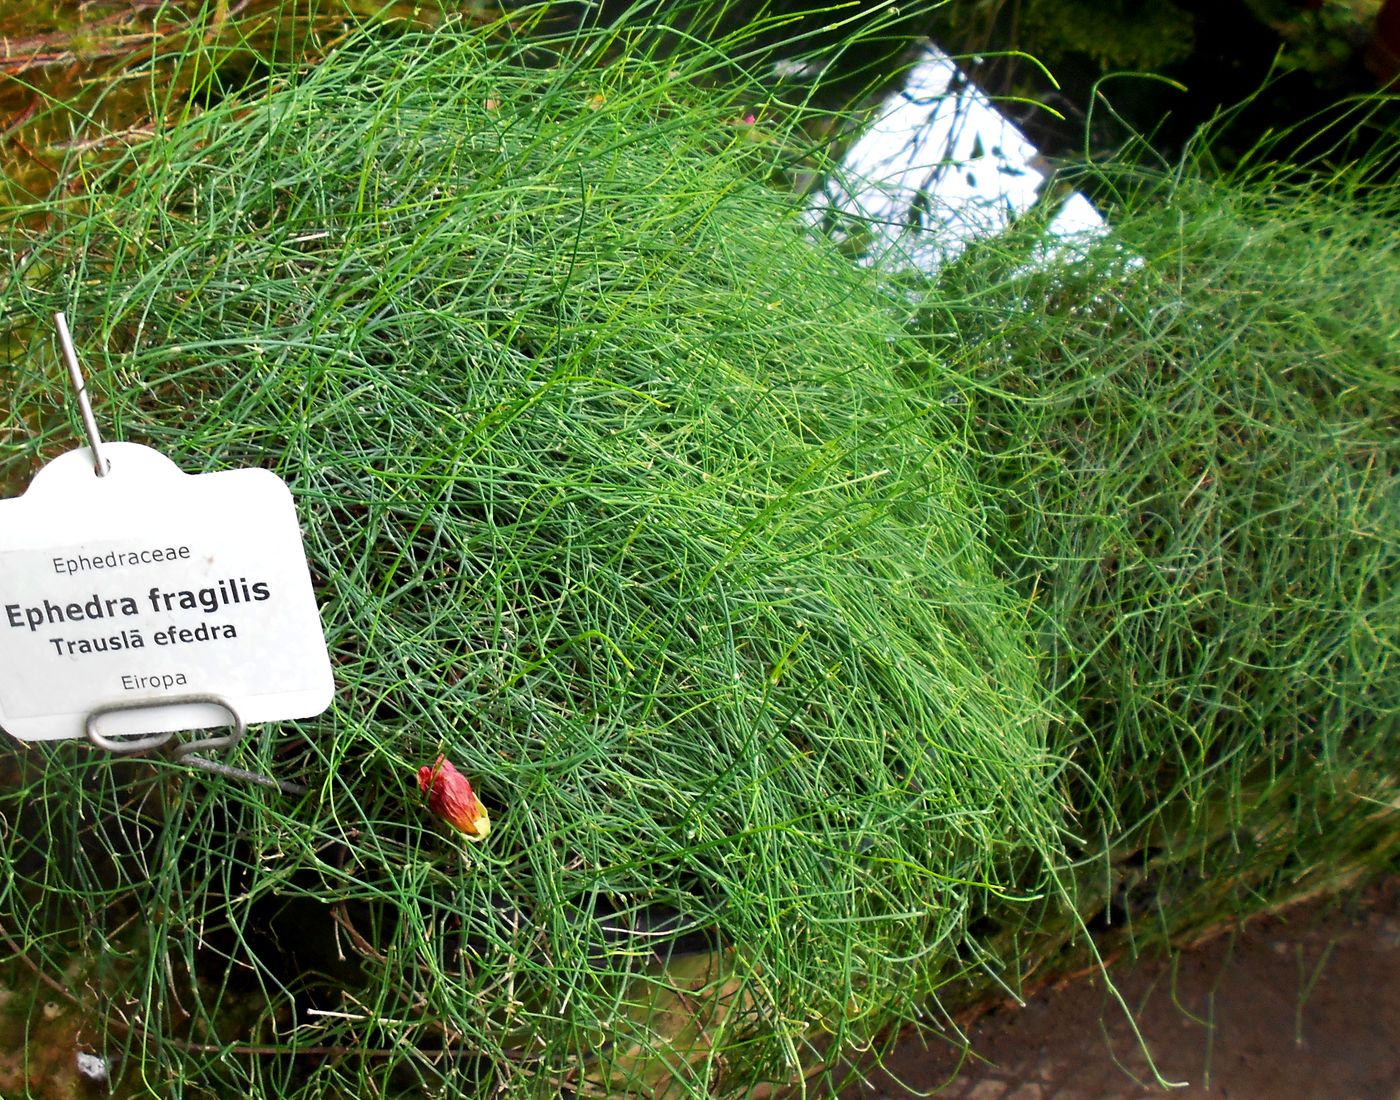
{"x":150,"y":584}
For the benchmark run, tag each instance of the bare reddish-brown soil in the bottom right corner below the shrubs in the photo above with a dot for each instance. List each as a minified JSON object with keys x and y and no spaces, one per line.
{"x":1298,"y":1007}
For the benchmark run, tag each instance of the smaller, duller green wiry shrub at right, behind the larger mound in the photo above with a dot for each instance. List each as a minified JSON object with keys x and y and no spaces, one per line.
{"x":1192,"y":430}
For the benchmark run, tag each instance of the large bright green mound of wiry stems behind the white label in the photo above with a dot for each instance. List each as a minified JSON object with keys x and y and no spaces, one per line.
{"x":614,"y":498}
